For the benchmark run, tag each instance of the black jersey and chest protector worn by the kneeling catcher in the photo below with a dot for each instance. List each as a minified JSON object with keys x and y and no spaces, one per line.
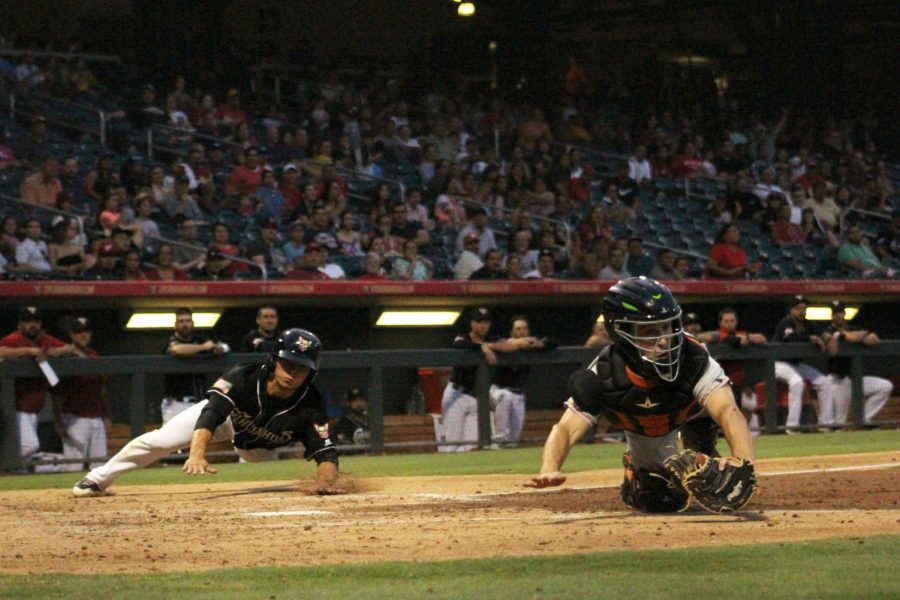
{"x":609,"y":388}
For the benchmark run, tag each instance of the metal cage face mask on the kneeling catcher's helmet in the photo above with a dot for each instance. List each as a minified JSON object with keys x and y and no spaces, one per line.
{"x":658,"y":343}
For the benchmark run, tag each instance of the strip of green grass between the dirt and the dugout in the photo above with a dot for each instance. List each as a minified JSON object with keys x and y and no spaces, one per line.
{"x":524,"y":460}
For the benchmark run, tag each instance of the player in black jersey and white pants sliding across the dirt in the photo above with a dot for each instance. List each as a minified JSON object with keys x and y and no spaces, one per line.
{"x":258,"y":407}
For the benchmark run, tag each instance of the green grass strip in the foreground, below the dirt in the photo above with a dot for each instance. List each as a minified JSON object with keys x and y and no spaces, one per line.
{"x":787,"y":570}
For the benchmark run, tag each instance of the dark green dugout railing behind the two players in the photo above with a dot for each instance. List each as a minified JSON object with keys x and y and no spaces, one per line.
{"x":139,"y":368}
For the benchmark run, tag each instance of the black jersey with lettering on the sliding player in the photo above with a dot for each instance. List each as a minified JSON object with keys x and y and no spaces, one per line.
{"x":261,"y":421}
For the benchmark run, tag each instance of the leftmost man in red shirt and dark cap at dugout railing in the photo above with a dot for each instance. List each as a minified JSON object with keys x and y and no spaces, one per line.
{"x":31,"y":393}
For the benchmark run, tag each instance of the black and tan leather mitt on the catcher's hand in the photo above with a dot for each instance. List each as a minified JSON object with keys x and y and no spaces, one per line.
{"x":718,"y":491}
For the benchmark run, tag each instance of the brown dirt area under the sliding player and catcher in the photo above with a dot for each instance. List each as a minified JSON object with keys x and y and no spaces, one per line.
{"x":215,"y":525}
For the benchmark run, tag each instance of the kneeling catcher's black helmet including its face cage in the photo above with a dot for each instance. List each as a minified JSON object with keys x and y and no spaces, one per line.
{"x":643,"y":317}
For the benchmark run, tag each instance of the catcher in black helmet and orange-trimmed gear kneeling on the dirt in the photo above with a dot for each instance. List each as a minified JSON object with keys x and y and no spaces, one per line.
{"x":659,"y":385}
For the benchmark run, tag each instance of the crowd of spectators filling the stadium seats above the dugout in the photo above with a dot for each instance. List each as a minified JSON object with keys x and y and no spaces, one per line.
{"x":368,"y":177}
